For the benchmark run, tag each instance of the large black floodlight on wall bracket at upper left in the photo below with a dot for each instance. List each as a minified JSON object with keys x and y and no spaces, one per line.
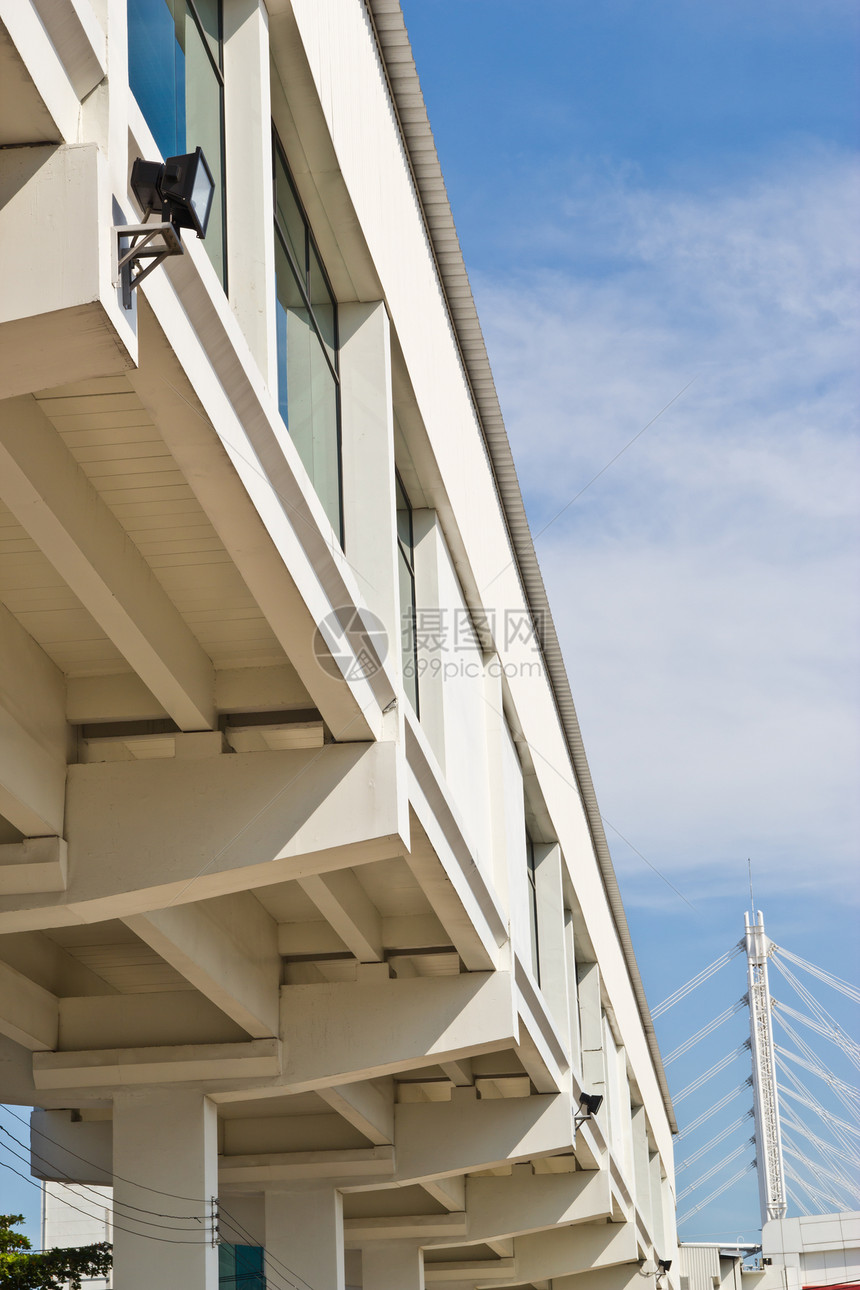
{"x":181,"y":190}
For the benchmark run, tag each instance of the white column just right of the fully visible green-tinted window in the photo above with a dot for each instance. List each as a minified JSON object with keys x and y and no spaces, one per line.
{"x":368,"y":429}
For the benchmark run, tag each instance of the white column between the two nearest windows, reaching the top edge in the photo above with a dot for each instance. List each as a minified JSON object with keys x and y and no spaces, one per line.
{"x":251,"y":213}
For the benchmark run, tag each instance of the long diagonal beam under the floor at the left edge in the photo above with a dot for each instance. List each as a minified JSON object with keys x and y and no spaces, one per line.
{"x":52,"y":499}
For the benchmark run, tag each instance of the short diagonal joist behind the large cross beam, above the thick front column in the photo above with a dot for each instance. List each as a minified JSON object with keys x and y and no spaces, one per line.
{"x":228,"y":950}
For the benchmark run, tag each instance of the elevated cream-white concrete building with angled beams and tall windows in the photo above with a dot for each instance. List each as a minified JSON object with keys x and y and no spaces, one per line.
{"x":310,"y":940}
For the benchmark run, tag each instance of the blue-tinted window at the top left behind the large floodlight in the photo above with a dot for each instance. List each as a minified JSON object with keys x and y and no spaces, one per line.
{"x":176,"y":77}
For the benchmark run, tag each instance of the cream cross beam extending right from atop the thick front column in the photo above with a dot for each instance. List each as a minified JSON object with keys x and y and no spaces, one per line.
{"x":345,"y":1031}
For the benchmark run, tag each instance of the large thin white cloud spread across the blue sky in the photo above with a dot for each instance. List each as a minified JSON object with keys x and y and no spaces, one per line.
{"x":707,"y":586}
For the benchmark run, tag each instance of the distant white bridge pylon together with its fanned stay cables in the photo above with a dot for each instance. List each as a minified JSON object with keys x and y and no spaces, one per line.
{"x":806,"y":1145}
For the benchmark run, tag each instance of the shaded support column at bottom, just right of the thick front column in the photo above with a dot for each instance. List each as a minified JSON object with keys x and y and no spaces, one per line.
{"x":305,"y":1234}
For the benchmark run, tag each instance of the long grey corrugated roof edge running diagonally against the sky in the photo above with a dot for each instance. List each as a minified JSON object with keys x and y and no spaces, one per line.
{"x":402,"y":74}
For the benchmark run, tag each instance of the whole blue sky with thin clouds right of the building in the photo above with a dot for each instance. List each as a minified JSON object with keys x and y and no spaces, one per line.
{"x":653,"y":197}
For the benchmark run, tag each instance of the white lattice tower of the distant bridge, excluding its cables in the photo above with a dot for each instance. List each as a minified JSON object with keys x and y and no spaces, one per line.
{"x":769,"y":1142}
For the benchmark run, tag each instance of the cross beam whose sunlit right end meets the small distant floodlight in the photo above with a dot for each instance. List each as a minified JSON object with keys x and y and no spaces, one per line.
{"x":458,"y":1137}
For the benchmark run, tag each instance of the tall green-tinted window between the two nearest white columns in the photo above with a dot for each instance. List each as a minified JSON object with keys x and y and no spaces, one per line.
{"x":309,"y":386}
